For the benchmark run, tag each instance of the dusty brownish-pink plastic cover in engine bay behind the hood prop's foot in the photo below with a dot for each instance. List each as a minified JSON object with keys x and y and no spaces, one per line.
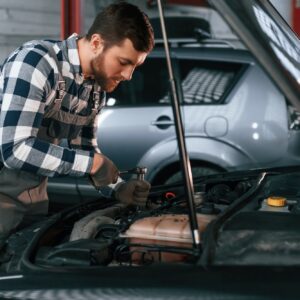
{"x":167,"y":230}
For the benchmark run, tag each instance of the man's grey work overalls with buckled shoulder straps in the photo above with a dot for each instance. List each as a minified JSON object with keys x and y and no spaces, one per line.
{"x":26,"y":193}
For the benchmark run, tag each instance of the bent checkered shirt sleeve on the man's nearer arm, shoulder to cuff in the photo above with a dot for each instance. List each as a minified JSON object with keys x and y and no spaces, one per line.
{"x":27,"y":78}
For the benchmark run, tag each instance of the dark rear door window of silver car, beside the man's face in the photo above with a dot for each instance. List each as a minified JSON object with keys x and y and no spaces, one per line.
{"x":149,"y":84}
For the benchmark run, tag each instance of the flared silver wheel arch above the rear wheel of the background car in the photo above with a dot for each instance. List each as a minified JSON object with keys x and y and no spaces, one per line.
{"x":213,"y":151}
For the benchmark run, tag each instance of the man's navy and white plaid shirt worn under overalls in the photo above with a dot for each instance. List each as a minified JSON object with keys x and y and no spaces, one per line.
{"x":27,"y":86}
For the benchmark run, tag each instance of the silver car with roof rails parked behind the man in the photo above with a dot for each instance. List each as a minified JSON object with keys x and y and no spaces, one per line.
{"x":234,"y":117}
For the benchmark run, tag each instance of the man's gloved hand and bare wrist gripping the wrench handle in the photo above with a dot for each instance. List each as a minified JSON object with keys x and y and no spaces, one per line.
{"x":103,"y":171}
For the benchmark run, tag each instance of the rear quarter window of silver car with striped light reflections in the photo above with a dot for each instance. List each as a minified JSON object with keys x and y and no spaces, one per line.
{"x":205,"y":82}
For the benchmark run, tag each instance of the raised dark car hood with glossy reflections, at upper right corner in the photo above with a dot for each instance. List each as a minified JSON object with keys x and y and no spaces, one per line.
{"x":269,"y":38}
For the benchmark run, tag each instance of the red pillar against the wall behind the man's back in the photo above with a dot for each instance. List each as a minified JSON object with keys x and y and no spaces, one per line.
{"x":71,"y":17}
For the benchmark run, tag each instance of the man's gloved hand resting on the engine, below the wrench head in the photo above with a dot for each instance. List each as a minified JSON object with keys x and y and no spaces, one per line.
{"x":133,"y":192}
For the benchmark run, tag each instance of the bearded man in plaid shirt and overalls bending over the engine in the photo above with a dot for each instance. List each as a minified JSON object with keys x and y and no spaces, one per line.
{"x":53,"y":90}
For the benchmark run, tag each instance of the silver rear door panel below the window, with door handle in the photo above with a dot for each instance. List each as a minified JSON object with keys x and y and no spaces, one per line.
{"x":125,"y":143}
